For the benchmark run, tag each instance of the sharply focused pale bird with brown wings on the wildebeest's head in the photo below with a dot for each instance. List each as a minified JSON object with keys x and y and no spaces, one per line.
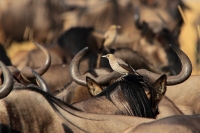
{"x":119,"y":65}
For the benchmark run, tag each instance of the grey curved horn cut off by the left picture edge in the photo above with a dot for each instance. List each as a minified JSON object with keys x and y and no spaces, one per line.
{"x":8,"y":82}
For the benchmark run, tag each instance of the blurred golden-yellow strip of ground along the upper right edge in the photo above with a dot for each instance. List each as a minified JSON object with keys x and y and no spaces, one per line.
{"x":189,"y":37}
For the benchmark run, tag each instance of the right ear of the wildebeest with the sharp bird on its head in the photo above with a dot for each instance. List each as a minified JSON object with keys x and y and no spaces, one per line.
{"x":159,"y":88}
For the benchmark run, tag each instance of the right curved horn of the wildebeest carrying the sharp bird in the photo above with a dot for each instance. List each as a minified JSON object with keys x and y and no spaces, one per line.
{"x":173,"y":80}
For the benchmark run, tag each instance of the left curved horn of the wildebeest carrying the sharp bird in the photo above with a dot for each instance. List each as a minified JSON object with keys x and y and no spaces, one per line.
{"x":80,"y":79}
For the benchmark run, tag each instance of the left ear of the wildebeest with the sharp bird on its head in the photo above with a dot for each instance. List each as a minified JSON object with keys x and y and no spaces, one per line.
{"x":93,"y":87}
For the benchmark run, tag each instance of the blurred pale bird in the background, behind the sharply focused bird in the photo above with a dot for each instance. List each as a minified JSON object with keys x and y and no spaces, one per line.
{"x":110,"y":35}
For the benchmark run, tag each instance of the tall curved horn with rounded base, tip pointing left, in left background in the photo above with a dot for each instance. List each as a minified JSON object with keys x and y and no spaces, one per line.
{"x":26,"y":71}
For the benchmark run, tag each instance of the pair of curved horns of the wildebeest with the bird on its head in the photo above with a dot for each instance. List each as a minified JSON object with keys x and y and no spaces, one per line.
{"x":171,"y":80}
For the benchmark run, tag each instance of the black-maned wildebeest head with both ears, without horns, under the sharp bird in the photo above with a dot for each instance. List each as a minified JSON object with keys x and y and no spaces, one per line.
{"x":130,"y":95}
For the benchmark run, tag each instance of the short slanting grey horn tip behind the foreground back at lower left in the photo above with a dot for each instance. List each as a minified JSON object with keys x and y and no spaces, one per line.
{"x":40,"y":81}
